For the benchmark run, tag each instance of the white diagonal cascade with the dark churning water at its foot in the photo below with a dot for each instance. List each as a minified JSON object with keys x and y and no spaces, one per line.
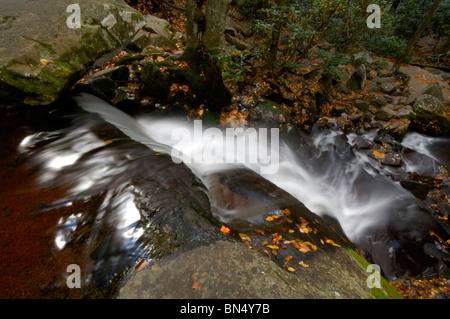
{"x":325,"y":174}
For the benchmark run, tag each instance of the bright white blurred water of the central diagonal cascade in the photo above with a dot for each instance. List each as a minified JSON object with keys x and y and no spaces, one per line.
{"x":339,"y":187}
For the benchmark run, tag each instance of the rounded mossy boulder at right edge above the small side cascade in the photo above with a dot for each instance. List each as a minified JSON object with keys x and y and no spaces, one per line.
{"x":430,"y":115}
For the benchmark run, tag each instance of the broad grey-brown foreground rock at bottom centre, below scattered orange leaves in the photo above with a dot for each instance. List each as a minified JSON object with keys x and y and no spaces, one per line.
{"x":229,"y":270}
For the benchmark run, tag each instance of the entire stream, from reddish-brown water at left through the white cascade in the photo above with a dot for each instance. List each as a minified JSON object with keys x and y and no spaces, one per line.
{"x":96,"y":187}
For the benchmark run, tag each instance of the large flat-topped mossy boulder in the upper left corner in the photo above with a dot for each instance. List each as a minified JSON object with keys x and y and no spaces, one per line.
{"x":45,"y":45}
